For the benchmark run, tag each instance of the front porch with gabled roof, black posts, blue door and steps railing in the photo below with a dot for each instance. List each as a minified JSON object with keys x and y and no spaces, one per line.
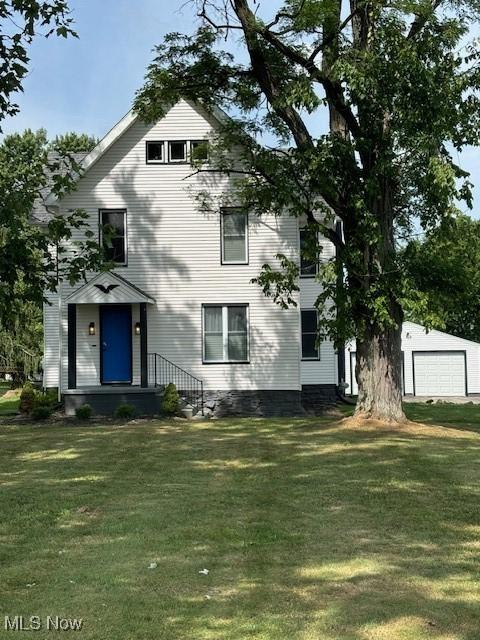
{"x":108,"y":362}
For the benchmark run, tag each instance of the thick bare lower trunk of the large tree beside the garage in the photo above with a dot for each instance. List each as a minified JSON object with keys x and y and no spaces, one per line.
{"x":379,"y":375}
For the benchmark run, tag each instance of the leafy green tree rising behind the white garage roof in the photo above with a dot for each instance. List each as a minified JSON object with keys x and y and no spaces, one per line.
{"x":445,"y":267}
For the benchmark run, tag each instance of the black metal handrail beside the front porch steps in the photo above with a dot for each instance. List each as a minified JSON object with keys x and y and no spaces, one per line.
{"x":162,"y":371}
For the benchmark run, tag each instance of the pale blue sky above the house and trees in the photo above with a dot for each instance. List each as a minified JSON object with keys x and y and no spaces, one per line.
{"x":87,"y":84}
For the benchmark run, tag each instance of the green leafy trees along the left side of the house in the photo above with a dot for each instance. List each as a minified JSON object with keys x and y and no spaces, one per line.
{"x":33,"y":257}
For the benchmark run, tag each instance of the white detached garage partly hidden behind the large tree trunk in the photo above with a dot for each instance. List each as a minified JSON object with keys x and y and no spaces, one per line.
{"x":435,"y":364}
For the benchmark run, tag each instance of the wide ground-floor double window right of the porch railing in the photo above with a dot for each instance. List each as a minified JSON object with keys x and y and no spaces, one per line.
{"x":225,"y":333}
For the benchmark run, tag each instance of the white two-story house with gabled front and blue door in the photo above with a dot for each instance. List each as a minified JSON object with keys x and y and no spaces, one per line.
{"x":179,"y":306}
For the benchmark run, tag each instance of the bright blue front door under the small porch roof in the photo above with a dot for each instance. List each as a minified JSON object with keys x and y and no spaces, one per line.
{"x":116,"y":344}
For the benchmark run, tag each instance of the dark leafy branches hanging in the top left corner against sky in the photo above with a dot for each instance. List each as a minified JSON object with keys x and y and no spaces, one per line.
{"x":20,"y":22}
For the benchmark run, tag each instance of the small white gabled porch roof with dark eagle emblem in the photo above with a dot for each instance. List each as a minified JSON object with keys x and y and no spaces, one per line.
{"x":109,"y":288}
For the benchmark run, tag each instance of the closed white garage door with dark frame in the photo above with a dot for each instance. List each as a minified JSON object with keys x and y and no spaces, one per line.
{"x":439,"y":373}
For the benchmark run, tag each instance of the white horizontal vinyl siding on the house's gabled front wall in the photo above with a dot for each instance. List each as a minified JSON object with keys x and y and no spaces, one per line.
{"x":173,"y":255}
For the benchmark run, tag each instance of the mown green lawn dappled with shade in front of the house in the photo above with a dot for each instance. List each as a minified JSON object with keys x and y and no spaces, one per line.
{"x":309,"y":530}
